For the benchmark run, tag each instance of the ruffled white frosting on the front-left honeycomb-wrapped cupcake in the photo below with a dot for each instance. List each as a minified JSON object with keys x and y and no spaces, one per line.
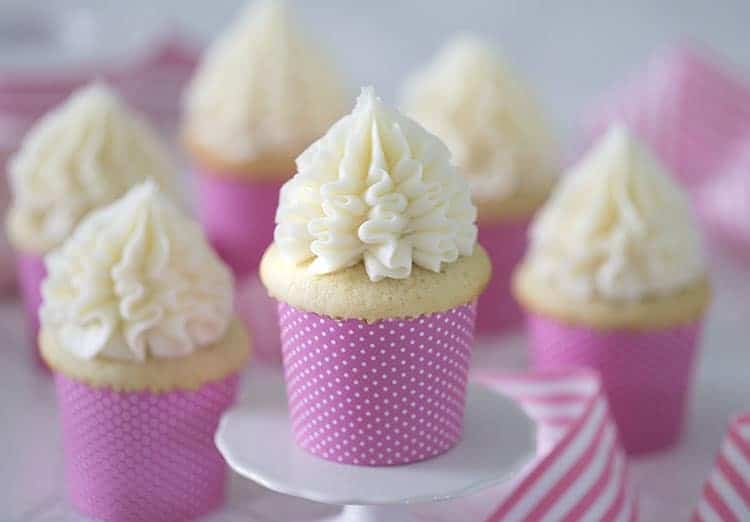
{"x":136,"y":279}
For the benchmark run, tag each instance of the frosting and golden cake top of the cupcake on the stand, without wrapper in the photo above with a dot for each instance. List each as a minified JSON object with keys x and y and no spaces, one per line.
{"x":375,"y":200}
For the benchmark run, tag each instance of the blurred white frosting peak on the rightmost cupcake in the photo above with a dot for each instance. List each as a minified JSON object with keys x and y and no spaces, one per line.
{"x":617,"y":227}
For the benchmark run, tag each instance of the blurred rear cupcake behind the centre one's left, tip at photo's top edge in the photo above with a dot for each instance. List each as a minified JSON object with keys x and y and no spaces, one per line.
{"x":261,"y":95}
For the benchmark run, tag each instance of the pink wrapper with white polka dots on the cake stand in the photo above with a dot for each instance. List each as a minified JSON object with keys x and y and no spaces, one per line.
{"x":377,"y":394}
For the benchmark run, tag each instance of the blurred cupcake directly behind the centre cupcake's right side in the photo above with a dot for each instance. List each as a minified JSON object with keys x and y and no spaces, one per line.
{"x":470,"y":97}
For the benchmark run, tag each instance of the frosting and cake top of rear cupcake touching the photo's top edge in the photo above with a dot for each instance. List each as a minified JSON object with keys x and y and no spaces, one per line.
{"x":261,"y":95}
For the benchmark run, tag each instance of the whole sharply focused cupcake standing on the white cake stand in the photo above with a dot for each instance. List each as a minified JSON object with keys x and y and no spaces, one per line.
{"x":376,"y":270}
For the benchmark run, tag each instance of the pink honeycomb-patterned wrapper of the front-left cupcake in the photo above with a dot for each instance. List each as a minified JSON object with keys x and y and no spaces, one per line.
{"x":135,"y":456}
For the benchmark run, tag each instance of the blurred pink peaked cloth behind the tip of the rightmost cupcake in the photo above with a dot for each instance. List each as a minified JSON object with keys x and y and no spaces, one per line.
{"x":689,"y":109}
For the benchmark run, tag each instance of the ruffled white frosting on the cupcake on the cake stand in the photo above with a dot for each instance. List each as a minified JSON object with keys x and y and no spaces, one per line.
{"x":378,"y":189}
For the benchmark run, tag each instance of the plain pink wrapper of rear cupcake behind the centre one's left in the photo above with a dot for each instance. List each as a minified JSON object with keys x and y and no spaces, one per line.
{"x":238,"y":218}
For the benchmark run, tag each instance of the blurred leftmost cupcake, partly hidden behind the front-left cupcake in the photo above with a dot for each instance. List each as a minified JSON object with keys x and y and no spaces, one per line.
{"x":80,"y":156}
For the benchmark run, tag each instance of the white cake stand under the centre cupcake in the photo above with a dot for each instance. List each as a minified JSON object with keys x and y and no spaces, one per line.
{"x":255,"y":439}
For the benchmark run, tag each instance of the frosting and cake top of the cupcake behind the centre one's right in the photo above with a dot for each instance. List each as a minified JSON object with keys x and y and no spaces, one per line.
{"x":471,"y":98}
